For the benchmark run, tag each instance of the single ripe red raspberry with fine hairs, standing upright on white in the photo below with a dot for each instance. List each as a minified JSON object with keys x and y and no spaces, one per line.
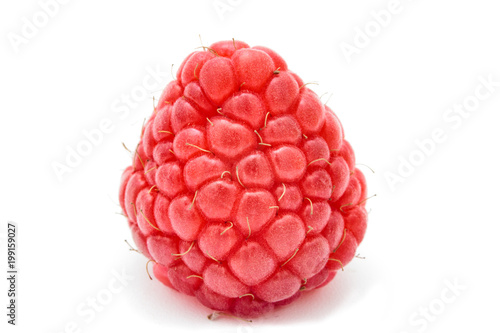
{"x":243,"y":190}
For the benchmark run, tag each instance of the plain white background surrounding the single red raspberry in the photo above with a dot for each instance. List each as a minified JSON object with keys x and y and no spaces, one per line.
{"x":441,"y":224}
